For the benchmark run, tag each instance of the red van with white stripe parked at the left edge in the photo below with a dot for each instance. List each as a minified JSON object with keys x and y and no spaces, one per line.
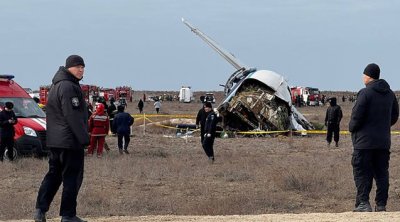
{"x":30,"y":131}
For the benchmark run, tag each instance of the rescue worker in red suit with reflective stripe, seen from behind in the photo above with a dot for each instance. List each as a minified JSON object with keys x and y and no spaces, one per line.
{"x":99,"y":124}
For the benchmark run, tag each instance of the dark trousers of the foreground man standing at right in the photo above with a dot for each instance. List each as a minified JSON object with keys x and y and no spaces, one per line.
{"x":369,"y":165}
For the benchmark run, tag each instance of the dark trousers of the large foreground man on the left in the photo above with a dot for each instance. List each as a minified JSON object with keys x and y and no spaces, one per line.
{"x":65,"y":166}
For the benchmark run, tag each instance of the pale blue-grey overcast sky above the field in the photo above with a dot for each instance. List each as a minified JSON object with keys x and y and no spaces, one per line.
{"x":144,"y":44}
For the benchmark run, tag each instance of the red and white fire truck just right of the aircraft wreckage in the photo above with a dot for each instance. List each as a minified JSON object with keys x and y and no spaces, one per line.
{"x":309,"y":96}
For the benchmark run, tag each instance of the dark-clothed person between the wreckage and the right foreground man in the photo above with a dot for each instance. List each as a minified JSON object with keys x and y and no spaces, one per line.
{"x":332,"y":121}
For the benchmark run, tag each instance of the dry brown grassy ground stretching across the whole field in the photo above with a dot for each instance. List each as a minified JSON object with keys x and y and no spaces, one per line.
{"x":167,"y":178}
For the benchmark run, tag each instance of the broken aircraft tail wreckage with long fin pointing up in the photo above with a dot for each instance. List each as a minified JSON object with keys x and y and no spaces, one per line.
{"x":255,"y":99}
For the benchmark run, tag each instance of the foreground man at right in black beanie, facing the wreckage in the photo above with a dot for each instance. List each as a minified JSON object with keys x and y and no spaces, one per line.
{"x":375,"y":111}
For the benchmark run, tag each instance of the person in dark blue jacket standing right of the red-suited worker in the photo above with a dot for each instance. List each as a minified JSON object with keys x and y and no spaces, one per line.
{"x":122,"y":126}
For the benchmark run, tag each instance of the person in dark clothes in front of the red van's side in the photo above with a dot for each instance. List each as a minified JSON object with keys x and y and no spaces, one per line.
{"x":7,"y":132}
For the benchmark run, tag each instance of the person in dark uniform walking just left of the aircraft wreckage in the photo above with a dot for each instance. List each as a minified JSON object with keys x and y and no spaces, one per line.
{"x":209,"y":131}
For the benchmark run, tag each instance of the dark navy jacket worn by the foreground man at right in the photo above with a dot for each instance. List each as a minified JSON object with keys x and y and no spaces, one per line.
{"x":375,"y":111}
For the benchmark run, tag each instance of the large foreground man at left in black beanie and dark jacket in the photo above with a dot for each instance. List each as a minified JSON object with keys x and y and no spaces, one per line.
{"x":67,"y":135}
